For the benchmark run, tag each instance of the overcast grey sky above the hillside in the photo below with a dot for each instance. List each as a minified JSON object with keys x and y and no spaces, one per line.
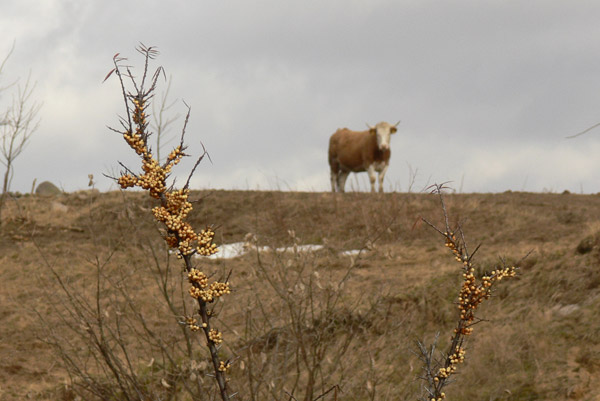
{"x":486,"y":90}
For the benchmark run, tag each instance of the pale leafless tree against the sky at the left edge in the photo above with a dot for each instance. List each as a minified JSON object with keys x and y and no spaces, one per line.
{"x":17,"y":123}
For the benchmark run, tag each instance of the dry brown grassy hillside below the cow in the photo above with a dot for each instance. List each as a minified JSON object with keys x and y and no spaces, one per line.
{"x":300,"y":323}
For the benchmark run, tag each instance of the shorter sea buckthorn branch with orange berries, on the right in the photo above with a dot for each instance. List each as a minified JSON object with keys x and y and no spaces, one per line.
{"x":474,"y":290}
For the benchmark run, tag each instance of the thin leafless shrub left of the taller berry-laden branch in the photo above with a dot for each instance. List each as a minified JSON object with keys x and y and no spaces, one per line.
{"x":119,"y":328}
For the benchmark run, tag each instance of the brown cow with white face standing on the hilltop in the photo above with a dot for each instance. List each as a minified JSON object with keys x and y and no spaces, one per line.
{"x":356,"y":151}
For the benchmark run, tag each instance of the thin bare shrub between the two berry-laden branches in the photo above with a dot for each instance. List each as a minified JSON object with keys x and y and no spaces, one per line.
{"x":307,"y":334}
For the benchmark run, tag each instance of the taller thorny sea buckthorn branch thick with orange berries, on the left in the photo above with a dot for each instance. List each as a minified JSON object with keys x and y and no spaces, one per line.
{"x":174,"y":206}
